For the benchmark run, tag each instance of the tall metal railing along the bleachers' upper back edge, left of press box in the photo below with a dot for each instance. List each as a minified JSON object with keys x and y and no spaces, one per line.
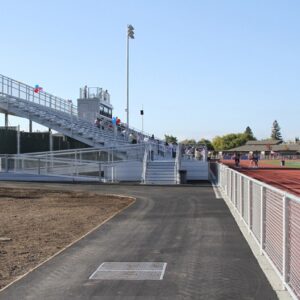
{"x":16,"y":89}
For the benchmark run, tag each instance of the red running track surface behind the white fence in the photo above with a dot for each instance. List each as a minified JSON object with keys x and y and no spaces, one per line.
{"x":284,"y":178}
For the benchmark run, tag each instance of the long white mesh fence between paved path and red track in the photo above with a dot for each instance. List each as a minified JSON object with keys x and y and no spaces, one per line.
{"x":272,"y":216}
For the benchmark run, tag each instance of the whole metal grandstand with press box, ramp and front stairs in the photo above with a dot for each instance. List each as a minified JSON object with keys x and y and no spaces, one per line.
{"x":117,"y":153}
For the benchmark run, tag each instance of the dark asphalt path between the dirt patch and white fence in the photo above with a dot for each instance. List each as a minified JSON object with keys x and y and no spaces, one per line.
{"x":186,"y":227}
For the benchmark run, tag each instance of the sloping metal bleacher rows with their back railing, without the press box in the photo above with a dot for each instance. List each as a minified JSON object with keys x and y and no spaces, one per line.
{"x":61,"y":115}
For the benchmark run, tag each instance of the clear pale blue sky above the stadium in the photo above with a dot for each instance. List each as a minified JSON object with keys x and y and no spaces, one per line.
{"x":199,"y":68}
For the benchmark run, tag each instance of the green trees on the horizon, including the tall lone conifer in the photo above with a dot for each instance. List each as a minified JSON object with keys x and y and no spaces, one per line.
{"x":227,"y":141}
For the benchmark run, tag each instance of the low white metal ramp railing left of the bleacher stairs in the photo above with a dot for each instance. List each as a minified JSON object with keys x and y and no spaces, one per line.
{"x":111,"y":171}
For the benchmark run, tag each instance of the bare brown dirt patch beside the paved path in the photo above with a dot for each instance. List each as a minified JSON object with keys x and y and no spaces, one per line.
{"x":35,"y":224}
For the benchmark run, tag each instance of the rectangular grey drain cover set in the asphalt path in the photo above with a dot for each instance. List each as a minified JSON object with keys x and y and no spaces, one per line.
{"x":130,"y":271}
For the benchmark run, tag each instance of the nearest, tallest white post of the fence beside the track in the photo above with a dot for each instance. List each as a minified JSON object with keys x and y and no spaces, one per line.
{"x":285,"y":242}
